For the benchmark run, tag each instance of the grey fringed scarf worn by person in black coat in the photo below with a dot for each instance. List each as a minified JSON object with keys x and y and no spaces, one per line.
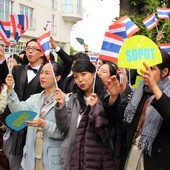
{"x":153,"y":120}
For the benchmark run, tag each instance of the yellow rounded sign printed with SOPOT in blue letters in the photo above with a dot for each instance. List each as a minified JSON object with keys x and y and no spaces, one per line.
{"x":139,"y":49}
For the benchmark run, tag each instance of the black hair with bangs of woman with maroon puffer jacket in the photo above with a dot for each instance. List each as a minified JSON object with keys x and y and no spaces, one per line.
{"x":81,"y":66}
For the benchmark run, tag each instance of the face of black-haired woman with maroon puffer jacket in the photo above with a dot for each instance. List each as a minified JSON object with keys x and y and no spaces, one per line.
{"x":84,"y":80}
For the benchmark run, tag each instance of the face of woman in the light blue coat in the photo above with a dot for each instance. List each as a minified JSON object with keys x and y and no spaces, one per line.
{"x":46,"y":77}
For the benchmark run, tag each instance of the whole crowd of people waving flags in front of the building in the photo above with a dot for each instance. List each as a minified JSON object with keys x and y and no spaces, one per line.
{"x":88,"y":117}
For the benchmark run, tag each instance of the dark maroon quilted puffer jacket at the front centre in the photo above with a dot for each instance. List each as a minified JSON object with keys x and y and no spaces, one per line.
{"x":92,"y":148}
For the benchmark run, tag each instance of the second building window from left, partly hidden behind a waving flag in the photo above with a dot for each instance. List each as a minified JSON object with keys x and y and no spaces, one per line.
{"x":29,"y":12}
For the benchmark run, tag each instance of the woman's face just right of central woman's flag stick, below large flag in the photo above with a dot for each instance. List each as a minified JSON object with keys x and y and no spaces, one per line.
{"x":104,"y":72}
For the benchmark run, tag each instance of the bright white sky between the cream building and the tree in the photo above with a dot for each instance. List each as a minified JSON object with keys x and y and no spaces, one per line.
{"x":97,"y":16}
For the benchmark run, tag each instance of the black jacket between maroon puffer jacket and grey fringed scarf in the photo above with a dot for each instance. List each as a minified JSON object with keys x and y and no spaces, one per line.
{"x":115,"y":115}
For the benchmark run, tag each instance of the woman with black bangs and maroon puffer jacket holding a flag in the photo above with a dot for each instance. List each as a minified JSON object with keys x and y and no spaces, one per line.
{"x":84,"y":122}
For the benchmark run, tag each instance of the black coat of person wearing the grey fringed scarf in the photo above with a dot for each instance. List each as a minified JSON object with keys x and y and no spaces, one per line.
{"x":160,"y":155}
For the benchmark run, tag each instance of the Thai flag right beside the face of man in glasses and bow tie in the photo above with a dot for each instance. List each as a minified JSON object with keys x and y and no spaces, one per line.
{"x":44,"y":44}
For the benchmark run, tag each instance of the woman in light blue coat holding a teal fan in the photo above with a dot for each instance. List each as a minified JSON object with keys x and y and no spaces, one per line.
{"x":43,"y":138}
